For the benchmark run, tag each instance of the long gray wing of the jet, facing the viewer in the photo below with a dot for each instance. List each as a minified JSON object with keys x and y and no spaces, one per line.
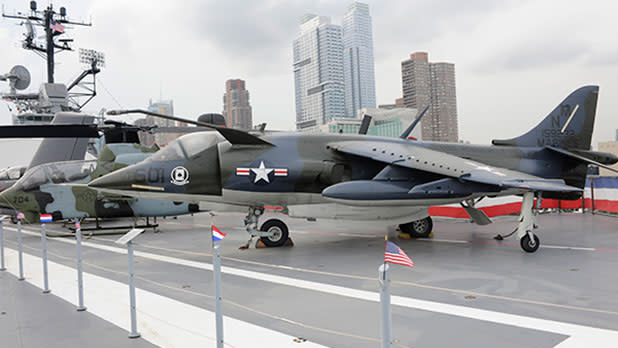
{"x":419,"y":158}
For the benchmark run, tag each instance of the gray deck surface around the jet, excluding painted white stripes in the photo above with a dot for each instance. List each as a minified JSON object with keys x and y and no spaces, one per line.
{"x":459,"y":266}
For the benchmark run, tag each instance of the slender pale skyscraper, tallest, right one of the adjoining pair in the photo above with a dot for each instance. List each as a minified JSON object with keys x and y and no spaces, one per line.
{"x":358,"y":66}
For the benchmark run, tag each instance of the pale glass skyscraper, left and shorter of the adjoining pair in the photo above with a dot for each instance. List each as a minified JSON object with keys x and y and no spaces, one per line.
{"x":318,"y":73}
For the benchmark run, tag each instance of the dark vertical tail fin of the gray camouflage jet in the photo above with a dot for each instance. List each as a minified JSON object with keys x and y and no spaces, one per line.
{"x":568,"y":126}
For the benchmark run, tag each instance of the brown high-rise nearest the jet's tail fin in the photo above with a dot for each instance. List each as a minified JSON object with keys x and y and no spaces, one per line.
{"x":432,"y":84}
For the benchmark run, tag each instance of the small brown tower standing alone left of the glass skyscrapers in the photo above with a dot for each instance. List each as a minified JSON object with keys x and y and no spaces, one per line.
{"x":236,"y":108}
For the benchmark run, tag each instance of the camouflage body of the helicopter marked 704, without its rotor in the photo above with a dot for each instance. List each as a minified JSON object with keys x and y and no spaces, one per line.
{"x":42,"y":190}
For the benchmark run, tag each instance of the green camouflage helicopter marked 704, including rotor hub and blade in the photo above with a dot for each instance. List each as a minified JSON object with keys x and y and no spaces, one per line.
{"x":42,"y":189}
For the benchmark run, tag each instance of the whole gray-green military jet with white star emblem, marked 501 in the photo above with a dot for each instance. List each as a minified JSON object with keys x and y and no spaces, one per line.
{"x":359,"y":177}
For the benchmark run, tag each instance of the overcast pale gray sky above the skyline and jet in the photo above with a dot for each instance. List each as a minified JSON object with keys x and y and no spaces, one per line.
{"x":514,"y":60}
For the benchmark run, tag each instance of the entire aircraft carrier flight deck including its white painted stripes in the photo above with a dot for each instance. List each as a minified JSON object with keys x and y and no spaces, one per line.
{"x":466,"y":289}
